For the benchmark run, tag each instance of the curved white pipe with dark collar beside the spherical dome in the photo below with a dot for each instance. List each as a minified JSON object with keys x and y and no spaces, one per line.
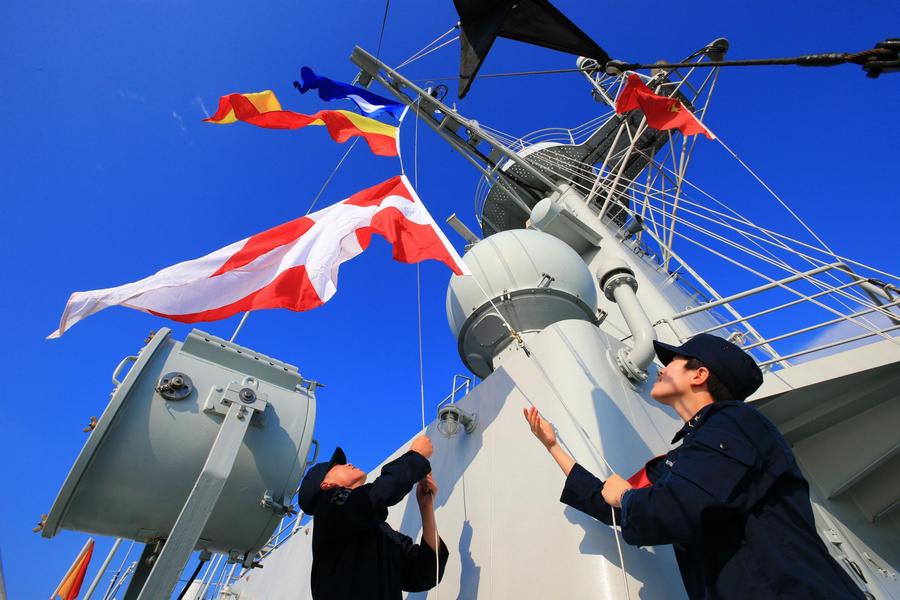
{"x":619,"y":285}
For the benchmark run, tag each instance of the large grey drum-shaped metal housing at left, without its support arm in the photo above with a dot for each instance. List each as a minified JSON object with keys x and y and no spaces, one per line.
{"x":141,"y":461}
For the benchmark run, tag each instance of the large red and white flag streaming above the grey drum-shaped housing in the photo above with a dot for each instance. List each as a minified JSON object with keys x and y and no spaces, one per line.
{"x":293,"y":266}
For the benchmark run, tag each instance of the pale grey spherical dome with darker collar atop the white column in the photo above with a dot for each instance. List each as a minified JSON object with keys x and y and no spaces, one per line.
{"x":533,"y":279}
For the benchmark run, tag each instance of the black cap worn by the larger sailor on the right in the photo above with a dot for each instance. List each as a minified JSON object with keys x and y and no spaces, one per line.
{"x":729,"y":363}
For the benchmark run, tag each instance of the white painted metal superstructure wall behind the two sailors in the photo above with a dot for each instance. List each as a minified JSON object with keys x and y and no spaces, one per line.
{"x":498,"y":508}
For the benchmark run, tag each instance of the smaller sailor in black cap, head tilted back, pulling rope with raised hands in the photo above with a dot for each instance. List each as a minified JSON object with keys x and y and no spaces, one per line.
{"x":356,"y":554}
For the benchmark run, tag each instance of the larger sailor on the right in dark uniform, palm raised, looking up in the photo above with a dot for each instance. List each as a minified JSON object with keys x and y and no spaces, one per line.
{"x":730,"y":499}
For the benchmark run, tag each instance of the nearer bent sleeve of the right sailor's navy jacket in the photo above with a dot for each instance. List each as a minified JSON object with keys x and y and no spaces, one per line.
{"x":708,"y":482}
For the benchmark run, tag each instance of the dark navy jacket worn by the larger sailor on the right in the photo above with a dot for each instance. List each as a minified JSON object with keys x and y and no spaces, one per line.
{"x":733,"y":503}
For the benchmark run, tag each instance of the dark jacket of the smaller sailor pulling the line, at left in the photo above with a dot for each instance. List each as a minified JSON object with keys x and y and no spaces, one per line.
{"x":356,"y":555}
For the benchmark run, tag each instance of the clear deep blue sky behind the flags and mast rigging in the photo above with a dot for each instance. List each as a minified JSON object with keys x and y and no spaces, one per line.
{"x":109,"y":175}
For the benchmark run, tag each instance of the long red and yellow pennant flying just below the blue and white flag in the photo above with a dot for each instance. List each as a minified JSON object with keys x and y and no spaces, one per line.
{"x":264,"y":110}
